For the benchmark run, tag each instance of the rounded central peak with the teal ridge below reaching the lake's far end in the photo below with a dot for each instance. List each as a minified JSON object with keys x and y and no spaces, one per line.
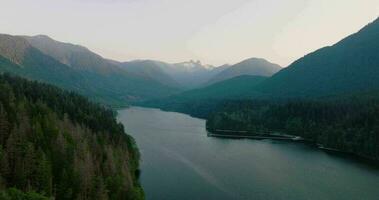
{"x":228,"y":83}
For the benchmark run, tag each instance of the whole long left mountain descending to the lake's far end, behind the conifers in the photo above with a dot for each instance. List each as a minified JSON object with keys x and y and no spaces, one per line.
{"x":76,"y":68}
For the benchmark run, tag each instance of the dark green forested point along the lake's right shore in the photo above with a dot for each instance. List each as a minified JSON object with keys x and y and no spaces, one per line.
{"x":347,"y":124}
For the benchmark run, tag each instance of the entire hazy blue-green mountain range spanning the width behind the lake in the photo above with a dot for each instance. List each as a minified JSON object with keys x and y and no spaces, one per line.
{"x":346,"y":67}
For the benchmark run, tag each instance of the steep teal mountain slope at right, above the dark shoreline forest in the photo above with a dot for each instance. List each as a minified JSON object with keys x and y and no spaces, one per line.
{"x":351,"y":65}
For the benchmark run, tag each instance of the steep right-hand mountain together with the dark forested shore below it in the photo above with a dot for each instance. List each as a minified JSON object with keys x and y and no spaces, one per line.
{"x":329,"y":97}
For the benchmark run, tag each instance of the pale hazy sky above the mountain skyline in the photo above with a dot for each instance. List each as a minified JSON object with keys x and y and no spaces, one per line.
{"x":213,"y":31}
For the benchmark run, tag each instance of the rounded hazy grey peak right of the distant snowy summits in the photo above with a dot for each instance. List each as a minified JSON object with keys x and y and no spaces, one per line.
{"x":252,"y":66}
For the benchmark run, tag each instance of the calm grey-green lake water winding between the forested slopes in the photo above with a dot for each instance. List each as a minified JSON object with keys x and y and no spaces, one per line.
{"x":180,"y":162}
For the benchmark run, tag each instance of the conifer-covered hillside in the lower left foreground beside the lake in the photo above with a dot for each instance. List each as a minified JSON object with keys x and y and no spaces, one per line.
{"x":56,"y":144}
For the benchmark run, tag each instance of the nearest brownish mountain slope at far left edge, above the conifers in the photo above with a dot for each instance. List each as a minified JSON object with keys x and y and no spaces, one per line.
{"x":19,"y":57}
